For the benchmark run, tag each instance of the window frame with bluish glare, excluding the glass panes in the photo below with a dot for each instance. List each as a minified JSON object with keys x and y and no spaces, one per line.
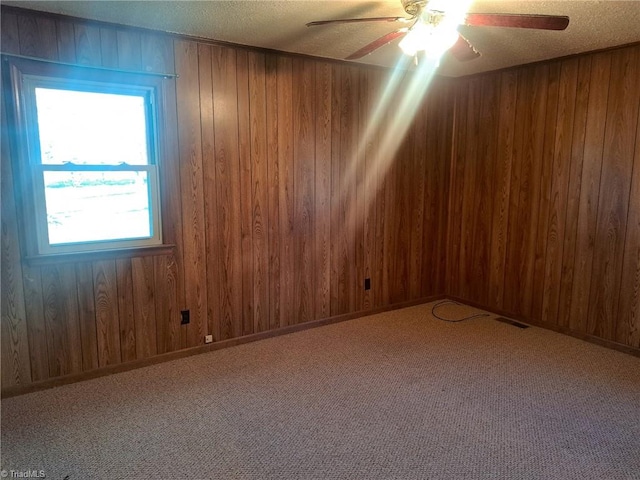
{"x":25,"y":77}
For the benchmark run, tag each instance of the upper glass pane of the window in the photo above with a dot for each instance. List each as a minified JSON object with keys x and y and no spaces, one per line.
{"x":91,"y":128}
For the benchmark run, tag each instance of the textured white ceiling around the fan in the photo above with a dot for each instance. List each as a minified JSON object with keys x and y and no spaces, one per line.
{"x":280,"y":25}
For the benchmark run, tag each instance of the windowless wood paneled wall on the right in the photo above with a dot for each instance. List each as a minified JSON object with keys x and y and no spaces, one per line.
{"x":545,"y":196}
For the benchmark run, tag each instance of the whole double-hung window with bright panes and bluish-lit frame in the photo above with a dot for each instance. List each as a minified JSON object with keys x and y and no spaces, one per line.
{"x":88,"y":150}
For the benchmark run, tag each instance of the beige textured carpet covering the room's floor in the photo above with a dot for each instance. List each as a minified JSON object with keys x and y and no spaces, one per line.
{"x":400,"y":395}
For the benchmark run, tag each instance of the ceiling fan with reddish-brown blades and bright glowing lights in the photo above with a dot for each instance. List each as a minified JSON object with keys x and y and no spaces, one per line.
{"x":433,"y":28}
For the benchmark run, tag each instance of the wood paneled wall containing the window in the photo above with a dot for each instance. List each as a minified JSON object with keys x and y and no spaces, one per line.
{"x":279,"y":194}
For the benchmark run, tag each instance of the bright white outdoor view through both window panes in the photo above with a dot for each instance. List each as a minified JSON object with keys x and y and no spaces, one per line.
{"x":93,"y":129}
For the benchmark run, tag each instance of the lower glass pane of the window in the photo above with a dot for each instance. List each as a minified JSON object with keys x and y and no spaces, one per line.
{"x":94,"y":206}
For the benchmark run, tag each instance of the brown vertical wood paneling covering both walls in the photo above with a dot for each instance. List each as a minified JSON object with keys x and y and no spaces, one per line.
{"x":279,"y":205}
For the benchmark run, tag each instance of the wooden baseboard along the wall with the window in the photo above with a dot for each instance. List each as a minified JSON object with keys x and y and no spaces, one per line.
{"x":166,"y":357}
